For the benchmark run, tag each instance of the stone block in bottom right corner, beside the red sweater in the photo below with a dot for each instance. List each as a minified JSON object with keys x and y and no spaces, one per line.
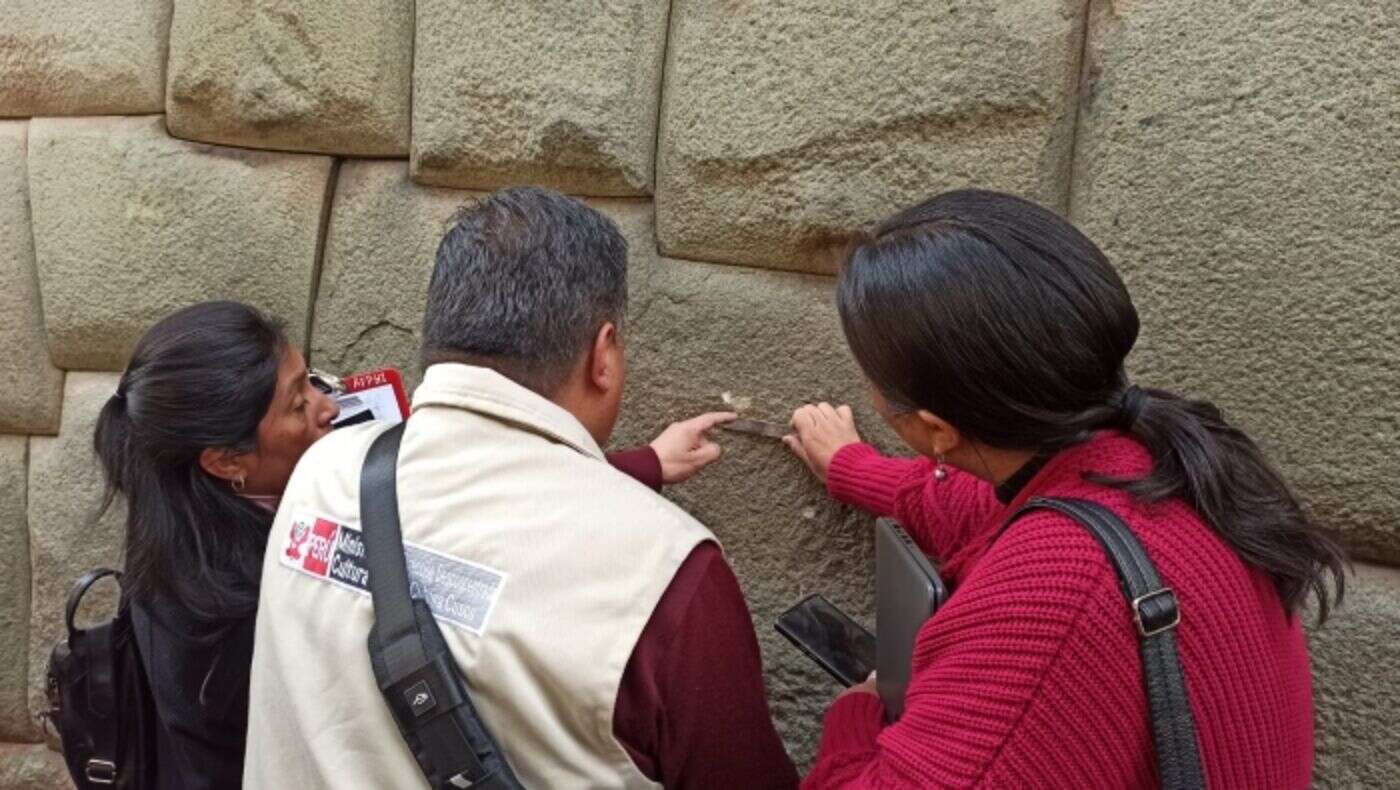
{"x":1357,"y":684}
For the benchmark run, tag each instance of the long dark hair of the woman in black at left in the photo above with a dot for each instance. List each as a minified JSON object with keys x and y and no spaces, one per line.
{"x":202,"y":377}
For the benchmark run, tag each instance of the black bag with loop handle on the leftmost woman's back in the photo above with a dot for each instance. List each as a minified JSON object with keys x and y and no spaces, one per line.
{"x":100,"y":701}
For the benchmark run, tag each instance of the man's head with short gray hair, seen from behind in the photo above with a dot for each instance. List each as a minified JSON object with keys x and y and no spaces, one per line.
{"x":524,"y":279}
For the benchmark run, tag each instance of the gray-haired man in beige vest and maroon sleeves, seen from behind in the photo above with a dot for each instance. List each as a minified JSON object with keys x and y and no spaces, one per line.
{"x":604,"y":635}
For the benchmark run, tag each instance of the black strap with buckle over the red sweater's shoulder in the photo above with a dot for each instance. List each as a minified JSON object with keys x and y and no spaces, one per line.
{"x":1156,"y":614}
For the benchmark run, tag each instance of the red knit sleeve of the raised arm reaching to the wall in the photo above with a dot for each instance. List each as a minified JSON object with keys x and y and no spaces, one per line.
{"x":941,"y":516}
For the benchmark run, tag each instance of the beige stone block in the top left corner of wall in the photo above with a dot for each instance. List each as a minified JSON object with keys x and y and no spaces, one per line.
{"x":93,"y":58}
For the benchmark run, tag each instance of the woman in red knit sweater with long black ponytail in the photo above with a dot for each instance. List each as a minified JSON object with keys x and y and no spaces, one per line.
{"x":993,"y":335}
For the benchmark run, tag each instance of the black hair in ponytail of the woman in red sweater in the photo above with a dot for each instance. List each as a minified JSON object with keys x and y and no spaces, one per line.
{"x":1004,"y":320}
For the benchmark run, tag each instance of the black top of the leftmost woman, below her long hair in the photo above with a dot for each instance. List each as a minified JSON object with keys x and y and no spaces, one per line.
{"x":199,"y":676}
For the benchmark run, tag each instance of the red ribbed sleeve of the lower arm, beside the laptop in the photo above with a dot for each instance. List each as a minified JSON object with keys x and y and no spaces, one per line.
{"x":1021,"y":662}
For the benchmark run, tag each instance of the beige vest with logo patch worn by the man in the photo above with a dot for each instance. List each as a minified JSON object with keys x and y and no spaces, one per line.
{"x":541,"y":561}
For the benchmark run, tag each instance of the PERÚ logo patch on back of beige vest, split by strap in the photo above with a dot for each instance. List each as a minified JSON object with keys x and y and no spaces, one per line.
{"x":458,"y":592}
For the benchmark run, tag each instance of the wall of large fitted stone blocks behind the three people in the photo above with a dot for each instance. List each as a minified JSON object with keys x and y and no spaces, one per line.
{"x":1240,"y":163}
